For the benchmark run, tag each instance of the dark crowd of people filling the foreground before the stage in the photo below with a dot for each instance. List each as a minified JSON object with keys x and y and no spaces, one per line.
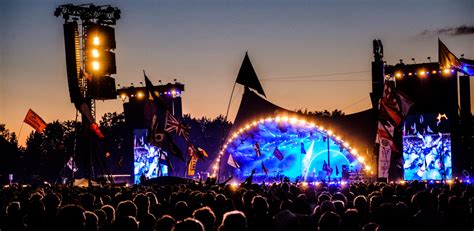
{"x":277,"y":206}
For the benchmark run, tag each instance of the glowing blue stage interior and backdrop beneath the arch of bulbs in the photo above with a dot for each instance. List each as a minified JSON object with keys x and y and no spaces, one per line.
{"x":283,"y":146}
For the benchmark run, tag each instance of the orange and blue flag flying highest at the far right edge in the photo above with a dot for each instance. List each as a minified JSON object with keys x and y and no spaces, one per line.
{"x":447,"y":60}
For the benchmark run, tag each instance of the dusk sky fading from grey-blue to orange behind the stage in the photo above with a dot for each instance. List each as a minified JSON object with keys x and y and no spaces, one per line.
{"x":308,"y":54}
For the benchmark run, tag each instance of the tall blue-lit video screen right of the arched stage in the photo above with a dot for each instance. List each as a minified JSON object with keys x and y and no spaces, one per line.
{"x":427,"y":147}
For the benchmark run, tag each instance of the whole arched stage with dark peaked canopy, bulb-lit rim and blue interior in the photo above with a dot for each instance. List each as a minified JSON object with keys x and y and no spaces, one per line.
{"x":261,"y":122}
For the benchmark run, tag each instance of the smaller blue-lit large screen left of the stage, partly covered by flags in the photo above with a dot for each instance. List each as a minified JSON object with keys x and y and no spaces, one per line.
{"x":147,"y":161}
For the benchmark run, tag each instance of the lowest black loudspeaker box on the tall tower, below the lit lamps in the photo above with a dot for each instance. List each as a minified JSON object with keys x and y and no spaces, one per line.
{"x":102,"y":88}
